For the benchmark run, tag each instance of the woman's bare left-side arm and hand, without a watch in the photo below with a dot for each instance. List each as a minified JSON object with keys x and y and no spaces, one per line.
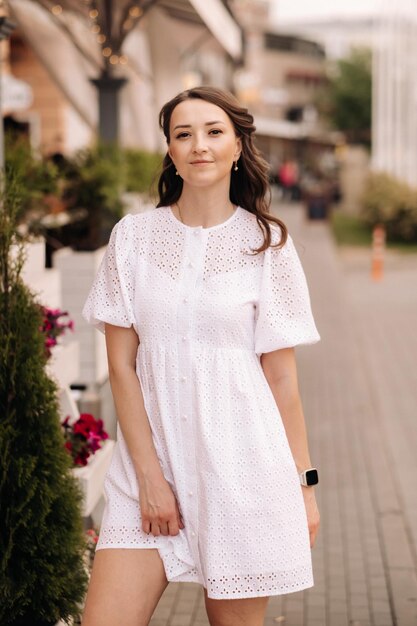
{"x":159,"y":509}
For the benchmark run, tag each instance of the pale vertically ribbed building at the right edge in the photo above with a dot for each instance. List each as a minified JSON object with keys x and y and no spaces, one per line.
{"x":394,"y":132}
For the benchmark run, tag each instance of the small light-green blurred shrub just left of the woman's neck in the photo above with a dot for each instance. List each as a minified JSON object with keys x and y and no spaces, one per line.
{"x":142,"y":169}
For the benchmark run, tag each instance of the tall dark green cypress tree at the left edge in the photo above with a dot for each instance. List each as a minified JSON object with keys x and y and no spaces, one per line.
{"x":42,"y":576}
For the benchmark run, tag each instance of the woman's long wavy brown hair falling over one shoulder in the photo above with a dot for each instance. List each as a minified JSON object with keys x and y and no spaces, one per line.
{"x":249,"y":185}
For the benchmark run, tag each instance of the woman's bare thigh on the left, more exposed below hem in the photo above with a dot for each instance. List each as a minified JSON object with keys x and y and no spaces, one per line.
{"x":125,"y":587}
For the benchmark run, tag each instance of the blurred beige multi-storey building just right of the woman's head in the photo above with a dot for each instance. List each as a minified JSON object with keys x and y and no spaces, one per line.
{"x":279,"y":82}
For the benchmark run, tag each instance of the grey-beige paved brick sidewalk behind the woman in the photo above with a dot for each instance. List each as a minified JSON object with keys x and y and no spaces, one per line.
{"x":358,"y":387}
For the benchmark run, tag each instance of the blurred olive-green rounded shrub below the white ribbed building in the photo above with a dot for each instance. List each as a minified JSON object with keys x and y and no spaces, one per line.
{"x":393,"y":204}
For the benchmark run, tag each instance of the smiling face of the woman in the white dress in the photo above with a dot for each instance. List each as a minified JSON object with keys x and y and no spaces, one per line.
{"x":203,"y":143}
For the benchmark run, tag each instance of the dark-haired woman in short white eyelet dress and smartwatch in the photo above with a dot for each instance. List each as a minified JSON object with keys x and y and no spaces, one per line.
{"x":202,"y":300}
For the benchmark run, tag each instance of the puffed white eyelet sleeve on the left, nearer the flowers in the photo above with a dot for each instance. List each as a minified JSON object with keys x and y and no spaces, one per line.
{"x":112,"y":294}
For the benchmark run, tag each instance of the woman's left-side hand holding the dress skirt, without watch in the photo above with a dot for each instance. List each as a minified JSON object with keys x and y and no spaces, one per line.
{"x":159,"y":507}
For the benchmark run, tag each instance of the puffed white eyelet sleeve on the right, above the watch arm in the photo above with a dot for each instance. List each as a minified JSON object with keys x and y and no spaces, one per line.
{"x":284,"y":317}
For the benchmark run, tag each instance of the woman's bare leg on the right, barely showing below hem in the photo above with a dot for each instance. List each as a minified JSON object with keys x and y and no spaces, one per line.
{"x":242,"y":612}
